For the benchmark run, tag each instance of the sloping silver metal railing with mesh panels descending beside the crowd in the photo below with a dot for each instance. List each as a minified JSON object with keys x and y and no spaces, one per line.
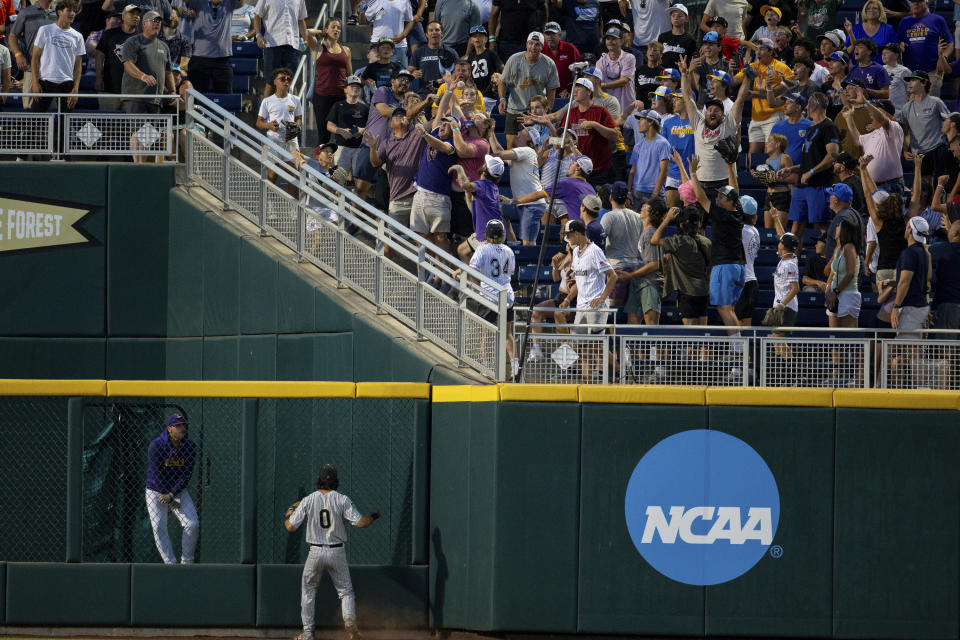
{"x":362,"y":248}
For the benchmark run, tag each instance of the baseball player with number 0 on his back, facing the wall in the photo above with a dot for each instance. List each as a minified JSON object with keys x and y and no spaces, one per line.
{"x":326,"y":513}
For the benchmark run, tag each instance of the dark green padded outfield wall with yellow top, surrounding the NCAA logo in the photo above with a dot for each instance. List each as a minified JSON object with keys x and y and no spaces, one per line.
{"x":528,"y":526}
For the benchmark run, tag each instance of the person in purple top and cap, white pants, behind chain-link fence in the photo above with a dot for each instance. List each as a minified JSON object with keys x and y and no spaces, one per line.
{"x":170,"y":460}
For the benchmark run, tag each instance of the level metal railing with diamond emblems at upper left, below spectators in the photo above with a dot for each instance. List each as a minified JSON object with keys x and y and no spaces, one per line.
{"x":60,"y":133}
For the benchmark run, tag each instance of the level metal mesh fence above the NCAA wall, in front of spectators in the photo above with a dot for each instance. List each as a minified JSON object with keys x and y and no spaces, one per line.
{"x":707,"y":356}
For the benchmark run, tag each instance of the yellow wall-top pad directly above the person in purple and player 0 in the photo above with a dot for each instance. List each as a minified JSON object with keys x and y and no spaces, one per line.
{"x":231,"y":389}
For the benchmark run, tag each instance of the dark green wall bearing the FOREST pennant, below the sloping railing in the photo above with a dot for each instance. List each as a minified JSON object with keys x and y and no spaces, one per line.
{"x":161,"y":289}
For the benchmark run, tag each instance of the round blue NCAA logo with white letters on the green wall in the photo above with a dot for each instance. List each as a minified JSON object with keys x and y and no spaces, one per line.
{"x":702,"y":507}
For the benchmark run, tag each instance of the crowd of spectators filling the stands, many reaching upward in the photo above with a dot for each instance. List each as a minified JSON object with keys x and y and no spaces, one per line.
{"x":813,"y":135}
